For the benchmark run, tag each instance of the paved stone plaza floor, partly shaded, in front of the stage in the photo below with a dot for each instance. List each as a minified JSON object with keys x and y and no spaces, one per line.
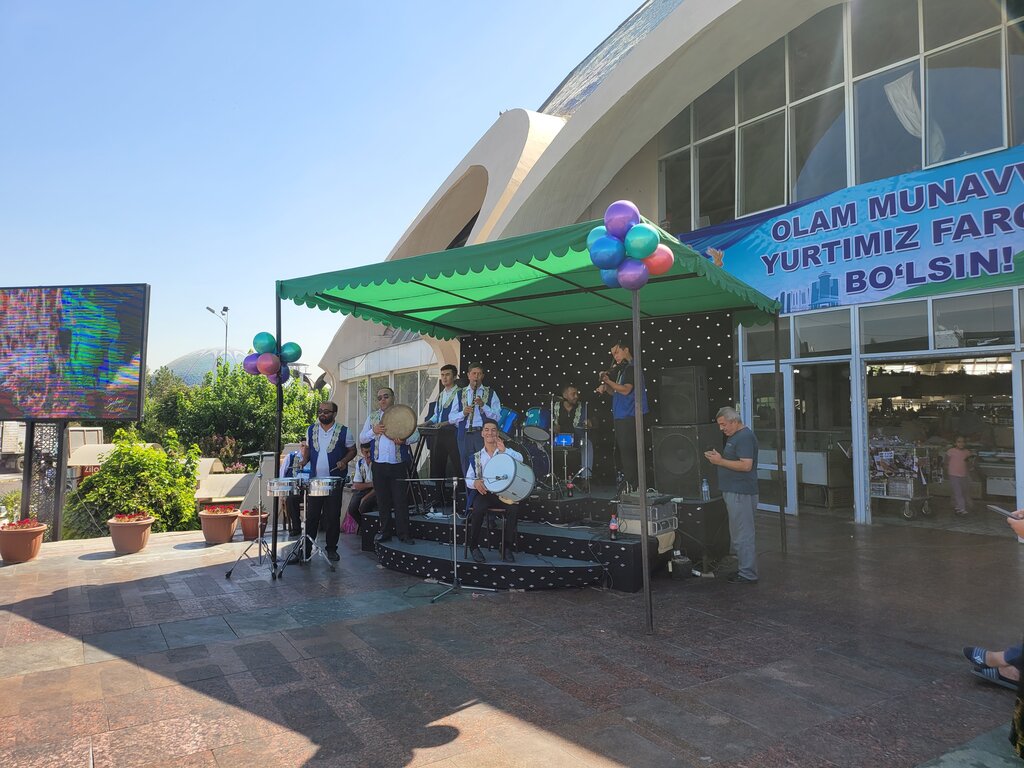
{"x":846,"y":655}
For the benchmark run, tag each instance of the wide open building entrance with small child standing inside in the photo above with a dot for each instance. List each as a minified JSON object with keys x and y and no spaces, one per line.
{"x":916,"y":412}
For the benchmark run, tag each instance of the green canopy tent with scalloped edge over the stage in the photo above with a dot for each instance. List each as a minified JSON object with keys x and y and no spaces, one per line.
{"x":532,"y":282}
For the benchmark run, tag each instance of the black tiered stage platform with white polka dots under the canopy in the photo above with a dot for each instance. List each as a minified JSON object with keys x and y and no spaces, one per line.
{"x":548,"y":556}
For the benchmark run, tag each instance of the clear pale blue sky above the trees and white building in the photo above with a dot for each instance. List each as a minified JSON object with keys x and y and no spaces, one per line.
{"x":209,"y":149}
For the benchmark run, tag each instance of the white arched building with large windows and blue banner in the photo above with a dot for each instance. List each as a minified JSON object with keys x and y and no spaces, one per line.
{"x":860,"y":161}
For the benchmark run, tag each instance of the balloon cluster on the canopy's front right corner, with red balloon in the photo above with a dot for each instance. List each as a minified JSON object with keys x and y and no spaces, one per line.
{"x":627,"y":251}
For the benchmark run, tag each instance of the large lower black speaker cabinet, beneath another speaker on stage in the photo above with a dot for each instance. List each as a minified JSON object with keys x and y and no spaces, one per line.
{"x":679,"y":462}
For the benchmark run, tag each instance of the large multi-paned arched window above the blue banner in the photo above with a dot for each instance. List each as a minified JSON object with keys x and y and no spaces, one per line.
{"x":930,"y":81}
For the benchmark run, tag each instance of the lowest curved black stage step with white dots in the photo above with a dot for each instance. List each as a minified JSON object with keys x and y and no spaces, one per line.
{"x":434,"y":561}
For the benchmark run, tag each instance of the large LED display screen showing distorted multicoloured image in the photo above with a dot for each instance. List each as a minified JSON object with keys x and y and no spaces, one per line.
{"x":73,"y":353}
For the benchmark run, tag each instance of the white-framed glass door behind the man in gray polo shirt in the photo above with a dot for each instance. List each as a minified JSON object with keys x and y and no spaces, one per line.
{"x":771,"y":421}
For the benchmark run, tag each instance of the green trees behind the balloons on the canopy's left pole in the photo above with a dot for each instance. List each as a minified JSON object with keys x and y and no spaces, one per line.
{"x":235,"y":413}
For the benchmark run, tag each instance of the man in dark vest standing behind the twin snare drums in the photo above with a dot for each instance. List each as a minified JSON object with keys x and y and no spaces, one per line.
{"x":328,"y":449}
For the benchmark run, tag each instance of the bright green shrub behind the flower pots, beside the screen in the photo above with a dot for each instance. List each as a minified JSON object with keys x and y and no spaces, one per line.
{"x":137,"y":478}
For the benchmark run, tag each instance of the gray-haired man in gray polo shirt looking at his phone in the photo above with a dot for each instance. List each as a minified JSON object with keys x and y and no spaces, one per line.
{"x":738,"y":479}
